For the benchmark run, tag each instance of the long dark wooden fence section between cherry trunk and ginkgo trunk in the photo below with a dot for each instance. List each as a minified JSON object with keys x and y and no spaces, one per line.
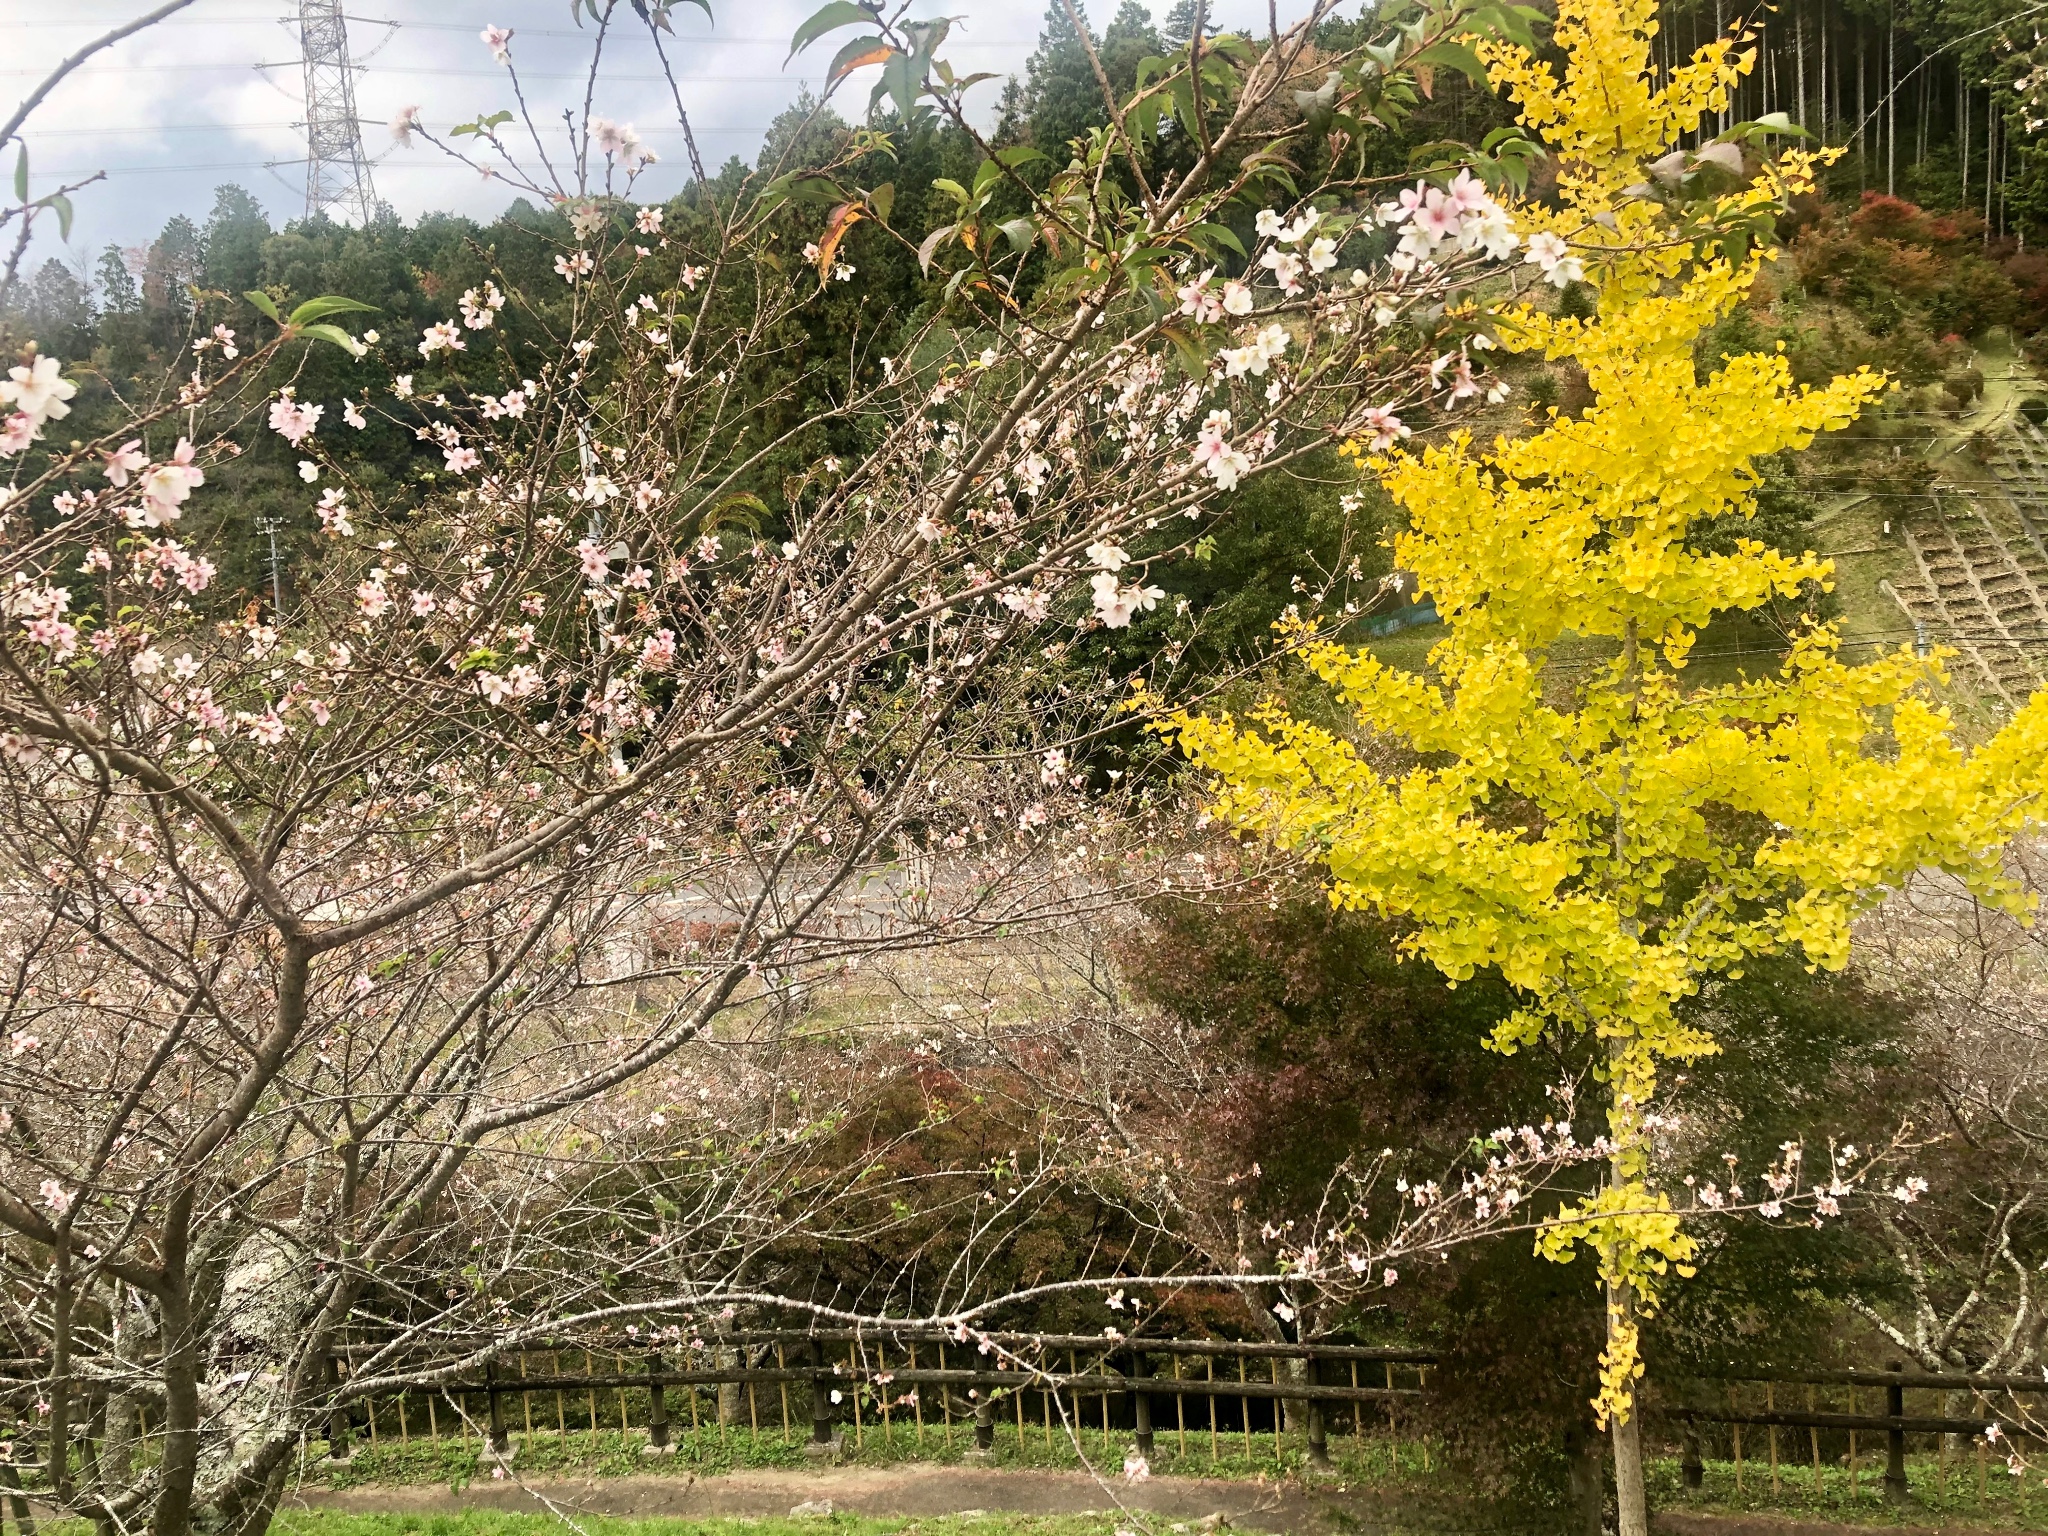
{"x":833,"y":1383}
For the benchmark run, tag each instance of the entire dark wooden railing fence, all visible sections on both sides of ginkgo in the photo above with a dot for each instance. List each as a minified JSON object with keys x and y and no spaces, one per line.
{"x":839,"y":1390}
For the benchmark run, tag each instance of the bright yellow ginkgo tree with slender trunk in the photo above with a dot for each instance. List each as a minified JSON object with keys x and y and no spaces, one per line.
{"x":1609,"y":839}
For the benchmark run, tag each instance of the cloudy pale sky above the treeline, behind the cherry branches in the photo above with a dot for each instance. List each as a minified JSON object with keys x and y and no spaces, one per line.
{"x":187,"y":105}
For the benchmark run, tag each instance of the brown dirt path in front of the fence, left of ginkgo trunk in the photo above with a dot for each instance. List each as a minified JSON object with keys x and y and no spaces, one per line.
{"x":908,"y":1492}
